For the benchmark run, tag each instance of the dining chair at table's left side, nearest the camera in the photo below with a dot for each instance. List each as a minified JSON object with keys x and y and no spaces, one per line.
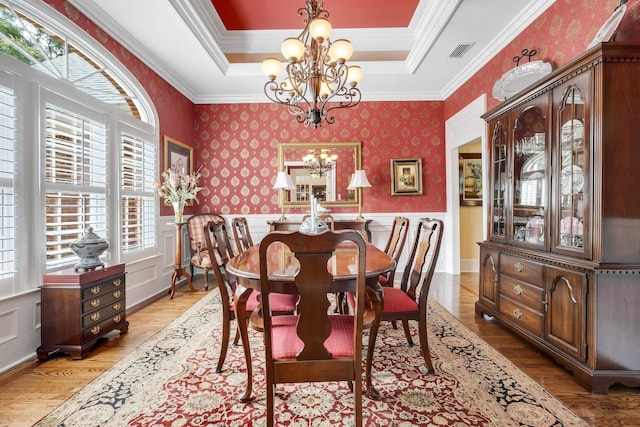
{"x":219,"y":247}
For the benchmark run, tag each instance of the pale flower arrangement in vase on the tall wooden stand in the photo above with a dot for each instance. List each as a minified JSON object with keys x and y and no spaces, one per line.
{"x":177,"y":189}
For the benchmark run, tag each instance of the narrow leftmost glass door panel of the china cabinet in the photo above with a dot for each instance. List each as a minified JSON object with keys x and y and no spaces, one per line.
{"x":499,"y":180}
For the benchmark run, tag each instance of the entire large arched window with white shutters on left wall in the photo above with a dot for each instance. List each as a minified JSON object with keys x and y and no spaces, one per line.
{"x":89,"y":157}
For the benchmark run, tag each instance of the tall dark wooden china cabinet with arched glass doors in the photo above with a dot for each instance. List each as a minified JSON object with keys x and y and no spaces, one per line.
{"x":561,"y":265}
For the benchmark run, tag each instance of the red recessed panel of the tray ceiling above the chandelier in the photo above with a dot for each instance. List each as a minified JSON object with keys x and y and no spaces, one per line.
{"x":282,"y":14}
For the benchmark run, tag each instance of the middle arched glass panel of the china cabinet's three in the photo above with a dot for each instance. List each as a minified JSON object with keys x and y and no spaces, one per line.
{"x":529,"y":177}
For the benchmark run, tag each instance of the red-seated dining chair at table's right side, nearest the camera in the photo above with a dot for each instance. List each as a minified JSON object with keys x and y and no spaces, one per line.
{"x":408,"y":301}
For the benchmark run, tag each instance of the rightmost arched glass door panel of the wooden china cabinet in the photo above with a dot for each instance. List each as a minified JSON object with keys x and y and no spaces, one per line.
{"x":572,"y":171}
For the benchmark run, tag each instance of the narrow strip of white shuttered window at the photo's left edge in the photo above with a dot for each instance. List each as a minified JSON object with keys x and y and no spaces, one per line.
{"x":7,"y":189}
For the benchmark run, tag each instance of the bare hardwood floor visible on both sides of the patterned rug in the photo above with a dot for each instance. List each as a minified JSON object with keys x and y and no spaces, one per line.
{"x":34,"y":389}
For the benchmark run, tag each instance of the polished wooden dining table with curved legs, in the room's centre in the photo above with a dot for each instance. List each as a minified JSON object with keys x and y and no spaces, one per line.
{"x":283,"y":267}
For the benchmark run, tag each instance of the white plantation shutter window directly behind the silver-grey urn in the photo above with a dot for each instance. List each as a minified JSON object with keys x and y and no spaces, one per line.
{"x":75,"y":181}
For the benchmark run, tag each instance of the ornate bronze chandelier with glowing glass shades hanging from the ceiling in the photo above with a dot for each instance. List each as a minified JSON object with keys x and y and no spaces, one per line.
{"x":318,"y":79}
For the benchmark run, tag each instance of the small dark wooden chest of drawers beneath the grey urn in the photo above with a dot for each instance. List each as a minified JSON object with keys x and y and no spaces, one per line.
{"x":80,"y":307}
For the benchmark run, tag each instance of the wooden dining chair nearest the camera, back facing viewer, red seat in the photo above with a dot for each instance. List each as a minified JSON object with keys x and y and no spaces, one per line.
{"x":313,"y":345}
